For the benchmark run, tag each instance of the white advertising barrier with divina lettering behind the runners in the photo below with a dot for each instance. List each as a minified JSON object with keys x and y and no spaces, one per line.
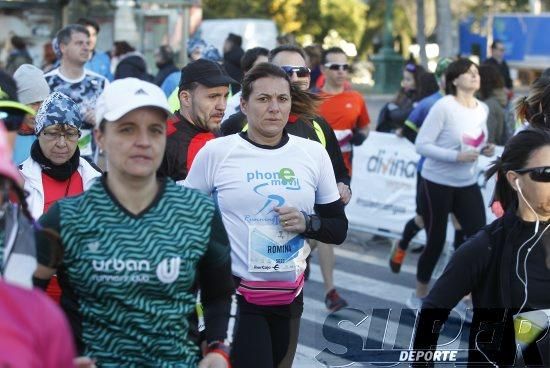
{"x":384,"y":186}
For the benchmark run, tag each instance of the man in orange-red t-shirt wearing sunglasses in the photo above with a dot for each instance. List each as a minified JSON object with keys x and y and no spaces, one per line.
{"x":344,"y":109}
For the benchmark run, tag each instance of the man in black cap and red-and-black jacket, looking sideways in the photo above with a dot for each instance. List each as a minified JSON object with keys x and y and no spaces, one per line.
{"x":203,"y":91}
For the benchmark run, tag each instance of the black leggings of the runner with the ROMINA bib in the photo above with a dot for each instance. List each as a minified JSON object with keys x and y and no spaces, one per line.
{"x":266,"y":336}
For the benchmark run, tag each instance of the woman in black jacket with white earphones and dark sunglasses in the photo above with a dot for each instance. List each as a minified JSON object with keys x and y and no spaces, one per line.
{"x":506,"y":266}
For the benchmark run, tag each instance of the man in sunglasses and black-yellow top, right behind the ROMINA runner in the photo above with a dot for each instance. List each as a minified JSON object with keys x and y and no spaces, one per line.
{"x":291,"y":59}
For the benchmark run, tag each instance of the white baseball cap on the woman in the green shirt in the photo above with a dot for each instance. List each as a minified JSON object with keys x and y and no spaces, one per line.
{"x":124,"y":95}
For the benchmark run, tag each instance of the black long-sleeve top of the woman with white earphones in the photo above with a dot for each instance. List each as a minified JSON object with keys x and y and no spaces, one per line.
{"x":486,"y":266}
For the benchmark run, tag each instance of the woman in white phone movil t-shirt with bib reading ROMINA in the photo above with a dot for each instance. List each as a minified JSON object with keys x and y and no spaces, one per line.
{"x":273,"y":190}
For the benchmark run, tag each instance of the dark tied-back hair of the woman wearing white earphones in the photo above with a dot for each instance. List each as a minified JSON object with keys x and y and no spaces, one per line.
{"x":515,"y":156}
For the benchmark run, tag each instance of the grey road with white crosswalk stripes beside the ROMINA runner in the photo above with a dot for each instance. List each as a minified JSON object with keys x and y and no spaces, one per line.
{"x":364,"y":279}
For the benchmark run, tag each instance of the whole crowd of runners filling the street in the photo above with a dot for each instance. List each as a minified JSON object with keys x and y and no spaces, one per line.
{"x":170,"y":219}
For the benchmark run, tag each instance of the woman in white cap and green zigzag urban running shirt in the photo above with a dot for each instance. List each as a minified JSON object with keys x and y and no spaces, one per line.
{"x":133,"y":247}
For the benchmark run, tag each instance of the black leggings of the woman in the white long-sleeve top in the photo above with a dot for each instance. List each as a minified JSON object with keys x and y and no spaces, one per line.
{"x":438,"y":202}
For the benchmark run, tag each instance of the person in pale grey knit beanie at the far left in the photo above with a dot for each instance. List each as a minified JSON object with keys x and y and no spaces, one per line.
{"x":32,"y":90}
